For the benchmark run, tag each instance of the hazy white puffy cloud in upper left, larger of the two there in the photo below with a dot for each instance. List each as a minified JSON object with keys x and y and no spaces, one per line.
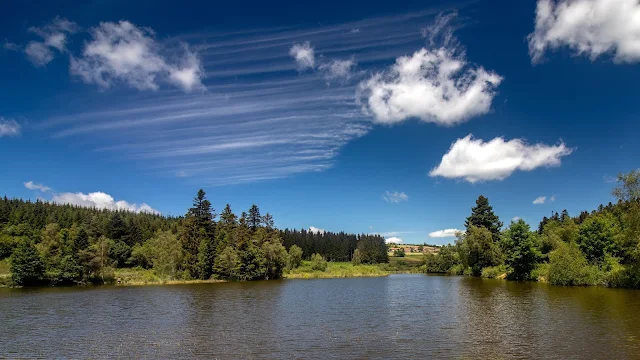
{"x":130,"y":54}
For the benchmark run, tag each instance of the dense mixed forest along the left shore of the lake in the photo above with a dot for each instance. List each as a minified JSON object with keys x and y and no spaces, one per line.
{"x":54,"y":244}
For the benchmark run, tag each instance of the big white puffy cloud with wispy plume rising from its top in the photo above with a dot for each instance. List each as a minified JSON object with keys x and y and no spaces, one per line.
{"x":435,"y":85}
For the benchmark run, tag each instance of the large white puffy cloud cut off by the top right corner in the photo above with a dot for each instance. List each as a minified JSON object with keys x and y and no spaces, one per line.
{"x":588,"y":27}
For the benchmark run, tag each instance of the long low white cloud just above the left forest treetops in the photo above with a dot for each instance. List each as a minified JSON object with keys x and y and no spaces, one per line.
{"x":101,"y":200}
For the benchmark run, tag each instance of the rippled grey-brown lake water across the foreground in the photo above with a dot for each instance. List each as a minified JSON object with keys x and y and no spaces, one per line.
{"x":395,"y":317}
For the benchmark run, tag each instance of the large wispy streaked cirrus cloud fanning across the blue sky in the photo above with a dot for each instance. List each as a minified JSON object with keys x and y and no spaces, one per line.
{"x":260,"y":119}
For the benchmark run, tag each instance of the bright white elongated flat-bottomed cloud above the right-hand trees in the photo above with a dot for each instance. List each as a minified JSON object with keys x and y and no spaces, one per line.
{"x":475,"y":160}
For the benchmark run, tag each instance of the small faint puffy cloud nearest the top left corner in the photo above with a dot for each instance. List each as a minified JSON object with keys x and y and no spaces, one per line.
{"x":54,"y":37}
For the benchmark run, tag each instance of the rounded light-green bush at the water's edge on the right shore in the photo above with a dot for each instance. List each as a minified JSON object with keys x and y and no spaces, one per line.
{"x":568,"y":266}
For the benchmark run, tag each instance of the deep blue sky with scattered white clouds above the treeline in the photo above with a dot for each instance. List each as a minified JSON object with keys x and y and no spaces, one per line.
{"x":351,"y":116}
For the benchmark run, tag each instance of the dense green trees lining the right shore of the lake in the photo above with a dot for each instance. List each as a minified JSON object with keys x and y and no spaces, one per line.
{"x":601,"y":247}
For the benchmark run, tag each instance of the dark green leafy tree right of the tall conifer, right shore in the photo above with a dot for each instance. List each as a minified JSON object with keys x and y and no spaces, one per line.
{"x":521,"y":253}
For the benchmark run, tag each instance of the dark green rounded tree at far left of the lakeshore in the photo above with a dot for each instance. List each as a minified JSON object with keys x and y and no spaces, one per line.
{"x":26,"y":266}
